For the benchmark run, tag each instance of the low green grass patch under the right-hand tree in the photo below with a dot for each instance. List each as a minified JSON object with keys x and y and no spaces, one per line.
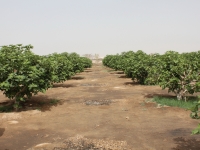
{"x":175,"y":103}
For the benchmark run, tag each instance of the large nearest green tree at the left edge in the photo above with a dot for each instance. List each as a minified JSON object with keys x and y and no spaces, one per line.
{"x":22,"y":73}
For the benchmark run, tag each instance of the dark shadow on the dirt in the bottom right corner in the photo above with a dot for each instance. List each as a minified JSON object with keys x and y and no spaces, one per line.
{"x":186,"y":144}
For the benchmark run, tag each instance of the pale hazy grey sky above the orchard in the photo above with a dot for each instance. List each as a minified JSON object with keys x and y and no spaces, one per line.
{"x":101,"y":26}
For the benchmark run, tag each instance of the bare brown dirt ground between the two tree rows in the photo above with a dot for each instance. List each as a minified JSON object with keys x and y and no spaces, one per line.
{"x":99,"y":109}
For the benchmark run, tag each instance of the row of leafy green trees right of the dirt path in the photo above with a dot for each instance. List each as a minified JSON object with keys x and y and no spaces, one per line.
{"x":179,"y":73}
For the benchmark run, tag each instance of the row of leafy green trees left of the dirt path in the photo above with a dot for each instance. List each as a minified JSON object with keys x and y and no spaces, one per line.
{"x":23,"y":74}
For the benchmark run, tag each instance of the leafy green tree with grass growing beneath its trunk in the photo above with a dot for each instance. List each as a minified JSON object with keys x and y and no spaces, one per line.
{"x":179,"y":73}
